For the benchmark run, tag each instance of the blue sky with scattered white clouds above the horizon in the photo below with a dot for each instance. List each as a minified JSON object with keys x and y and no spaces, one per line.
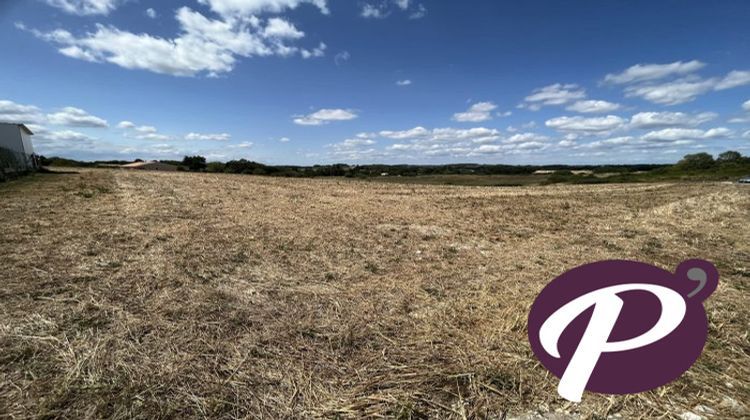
{"x":379,"y":81}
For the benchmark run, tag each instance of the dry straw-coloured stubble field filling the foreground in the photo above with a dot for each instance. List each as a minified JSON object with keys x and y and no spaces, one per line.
{"x":159,"y":295}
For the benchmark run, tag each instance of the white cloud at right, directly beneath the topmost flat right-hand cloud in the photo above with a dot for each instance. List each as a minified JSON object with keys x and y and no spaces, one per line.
{"x":672,"y":93}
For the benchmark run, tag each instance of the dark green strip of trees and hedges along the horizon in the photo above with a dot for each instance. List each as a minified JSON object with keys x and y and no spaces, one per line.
{"x":729,"y":165}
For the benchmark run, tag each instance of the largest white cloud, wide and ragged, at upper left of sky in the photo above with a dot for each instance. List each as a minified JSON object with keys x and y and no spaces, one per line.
{"x":204,"y":45}
